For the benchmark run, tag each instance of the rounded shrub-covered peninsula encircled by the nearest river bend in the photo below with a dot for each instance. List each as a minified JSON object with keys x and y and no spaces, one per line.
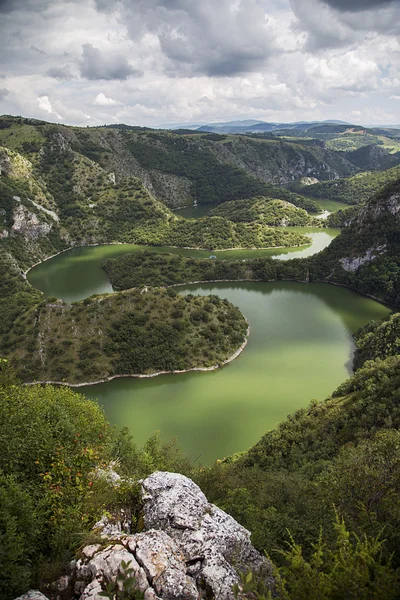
{"x":139,"y":332}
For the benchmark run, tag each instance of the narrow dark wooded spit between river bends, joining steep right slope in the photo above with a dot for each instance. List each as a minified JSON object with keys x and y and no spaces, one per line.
{"x":364,"y":257}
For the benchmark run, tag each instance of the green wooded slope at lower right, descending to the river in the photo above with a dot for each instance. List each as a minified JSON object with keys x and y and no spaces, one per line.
{"x":342,"y":452}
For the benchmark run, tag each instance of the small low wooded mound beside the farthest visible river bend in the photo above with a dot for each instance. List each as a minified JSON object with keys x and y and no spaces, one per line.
{"x":268,"y":211}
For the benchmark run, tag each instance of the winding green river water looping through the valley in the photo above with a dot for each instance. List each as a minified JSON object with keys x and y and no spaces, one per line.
{"x":300,"y":348}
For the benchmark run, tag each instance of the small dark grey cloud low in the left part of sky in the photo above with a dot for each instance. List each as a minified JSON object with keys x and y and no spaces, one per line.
{"x":97,"y":65}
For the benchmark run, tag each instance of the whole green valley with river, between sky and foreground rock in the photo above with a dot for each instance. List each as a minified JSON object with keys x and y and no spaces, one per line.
{"x":105,"y":277}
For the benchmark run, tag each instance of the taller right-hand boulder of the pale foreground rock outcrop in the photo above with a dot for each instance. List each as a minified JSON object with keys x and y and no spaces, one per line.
{"x":201,"y":531}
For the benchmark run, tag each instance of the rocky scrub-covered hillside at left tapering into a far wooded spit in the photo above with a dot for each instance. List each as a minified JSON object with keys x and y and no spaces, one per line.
{"x":91,"y":208}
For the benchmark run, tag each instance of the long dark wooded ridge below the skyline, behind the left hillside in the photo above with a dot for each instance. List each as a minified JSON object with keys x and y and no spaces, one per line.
{"x":180,"y":169}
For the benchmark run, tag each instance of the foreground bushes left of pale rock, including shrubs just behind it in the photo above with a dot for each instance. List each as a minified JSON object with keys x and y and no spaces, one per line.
{"x":56,"y":451}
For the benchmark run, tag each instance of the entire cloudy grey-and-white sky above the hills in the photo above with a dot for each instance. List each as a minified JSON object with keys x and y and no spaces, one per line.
{"x":149,"y":62}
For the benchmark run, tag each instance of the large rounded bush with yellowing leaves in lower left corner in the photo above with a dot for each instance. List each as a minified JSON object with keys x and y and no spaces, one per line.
{"x":52,"y":439}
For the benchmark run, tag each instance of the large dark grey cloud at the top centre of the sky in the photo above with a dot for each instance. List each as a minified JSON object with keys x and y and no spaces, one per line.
{"x":203,"y":38}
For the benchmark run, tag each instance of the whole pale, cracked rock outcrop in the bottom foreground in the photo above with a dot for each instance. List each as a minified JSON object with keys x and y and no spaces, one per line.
{"x":189,"y":549}
